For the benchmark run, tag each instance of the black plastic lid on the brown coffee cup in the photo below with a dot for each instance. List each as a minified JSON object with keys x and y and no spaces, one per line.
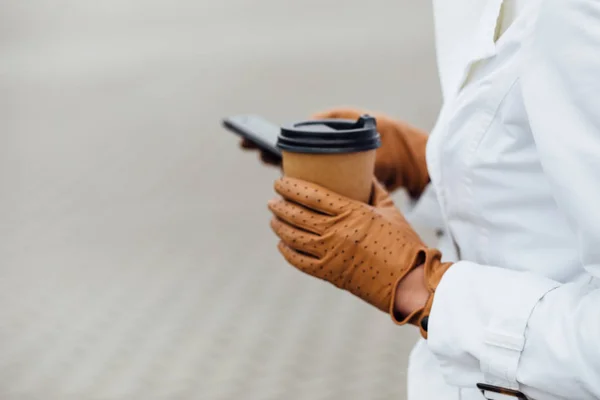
{"x":327,"y":136}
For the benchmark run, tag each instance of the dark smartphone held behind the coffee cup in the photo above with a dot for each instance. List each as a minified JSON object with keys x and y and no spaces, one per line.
{"x":256,"y":129}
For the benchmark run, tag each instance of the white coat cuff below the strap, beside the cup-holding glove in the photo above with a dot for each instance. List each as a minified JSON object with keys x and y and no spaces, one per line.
{"x":478,"y":320}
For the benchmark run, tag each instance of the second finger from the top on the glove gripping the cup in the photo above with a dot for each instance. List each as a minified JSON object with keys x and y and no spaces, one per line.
{"x":301,"y":217}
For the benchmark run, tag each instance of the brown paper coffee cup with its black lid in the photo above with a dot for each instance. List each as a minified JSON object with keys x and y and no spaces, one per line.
{"x":336,"y":154}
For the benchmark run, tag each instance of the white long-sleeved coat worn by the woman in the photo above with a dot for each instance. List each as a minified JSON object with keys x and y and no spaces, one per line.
{"x":514,"y":161}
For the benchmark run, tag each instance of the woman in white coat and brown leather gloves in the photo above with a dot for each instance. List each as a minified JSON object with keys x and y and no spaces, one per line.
{"x":514,"y":161}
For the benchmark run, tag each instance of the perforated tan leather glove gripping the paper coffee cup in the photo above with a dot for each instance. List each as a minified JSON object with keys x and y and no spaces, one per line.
{"x":364,"y":249}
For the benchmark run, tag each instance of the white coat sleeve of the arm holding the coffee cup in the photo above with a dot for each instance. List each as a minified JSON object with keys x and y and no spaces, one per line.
{"x":544,"y":338}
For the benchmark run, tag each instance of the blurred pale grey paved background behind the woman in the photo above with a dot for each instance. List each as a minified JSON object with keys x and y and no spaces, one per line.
{"x":136,"y":260}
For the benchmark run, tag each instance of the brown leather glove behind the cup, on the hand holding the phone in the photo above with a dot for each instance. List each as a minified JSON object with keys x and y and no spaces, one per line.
{"x":401,"y":157}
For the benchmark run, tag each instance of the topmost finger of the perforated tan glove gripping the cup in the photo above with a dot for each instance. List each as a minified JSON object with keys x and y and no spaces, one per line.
{"x":313,"y":196}
